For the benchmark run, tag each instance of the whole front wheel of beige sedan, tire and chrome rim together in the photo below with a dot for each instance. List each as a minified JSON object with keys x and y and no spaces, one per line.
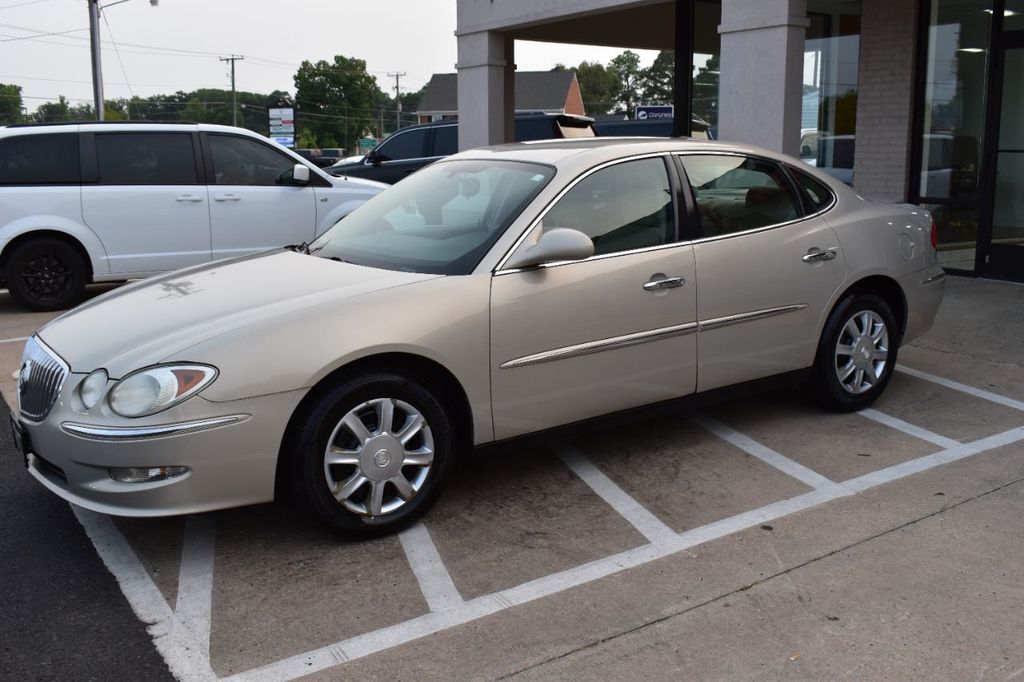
{"x":369,"y":458}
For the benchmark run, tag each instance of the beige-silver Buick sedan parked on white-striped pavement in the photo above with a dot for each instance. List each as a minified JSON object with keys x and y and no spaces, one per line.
{"x":500,"y":292}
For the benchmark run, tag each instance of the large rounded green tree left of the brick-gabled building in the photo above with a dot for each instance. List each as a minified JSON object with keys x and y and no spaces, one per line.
{"x":337,"y":101}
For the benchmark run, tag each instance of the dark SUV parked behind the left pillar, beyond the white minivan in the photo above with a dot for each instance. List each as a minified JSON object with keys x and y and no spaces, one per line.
{"x":411,"y":149}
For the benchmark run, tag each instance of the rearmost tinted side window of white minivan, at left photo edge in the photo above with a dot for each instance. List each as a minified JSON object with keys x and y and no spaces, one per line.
{"x":40,"y":160}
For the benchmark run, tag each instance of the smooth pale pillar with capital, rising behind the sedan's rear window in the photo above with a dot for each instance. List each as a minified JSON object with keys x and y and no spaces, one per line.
{"x":761,"y":83}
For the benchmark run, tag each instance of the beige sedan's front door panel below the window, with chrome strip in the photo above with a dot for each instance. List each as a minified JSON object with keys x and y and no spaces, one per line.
{"x":591,"y":303}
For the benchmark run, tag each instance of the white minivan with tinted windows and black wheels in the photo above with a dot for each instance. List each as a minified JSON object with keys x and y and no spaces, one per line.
{"x":108,"y":202}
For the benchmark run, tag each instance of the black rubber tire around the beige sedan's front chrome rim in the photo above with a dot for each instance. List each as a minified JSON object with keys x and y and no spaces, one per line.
{"x":307,"y":444}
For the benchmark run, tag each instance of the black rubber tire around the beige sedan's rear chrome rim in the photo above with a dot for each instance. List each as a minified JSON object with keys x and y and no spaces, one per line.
{"x":826,"y":386}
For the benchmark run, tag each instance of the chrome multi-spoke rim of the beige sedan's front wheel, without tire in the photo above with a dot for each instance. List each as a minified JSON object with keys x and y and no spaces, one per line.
{"x":378,"y":457}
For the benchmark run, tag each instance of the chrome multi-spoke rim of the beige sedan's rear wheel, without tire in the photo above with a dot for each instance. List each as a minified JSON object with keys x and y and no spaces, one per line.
{"x":862,"y":353}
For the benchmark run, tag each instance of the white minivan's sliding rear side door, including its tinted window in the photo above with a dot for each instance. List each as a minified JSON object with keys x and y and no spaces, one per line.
{"x":149,"y":209}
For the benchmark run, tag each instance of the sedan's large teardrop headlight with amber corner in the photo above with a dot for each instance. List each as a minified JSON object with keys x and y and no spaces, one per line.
{"x":157,"y":389}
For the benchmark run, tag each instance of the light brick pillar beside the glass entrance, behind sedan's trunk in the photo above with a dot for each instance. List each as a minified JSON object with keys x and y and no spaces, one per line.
{"x":885,"y":99}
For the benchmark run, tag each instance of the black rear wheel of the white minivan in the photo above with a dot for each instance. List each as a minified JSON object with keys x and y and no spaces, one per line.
{"x":47,"y":274}
